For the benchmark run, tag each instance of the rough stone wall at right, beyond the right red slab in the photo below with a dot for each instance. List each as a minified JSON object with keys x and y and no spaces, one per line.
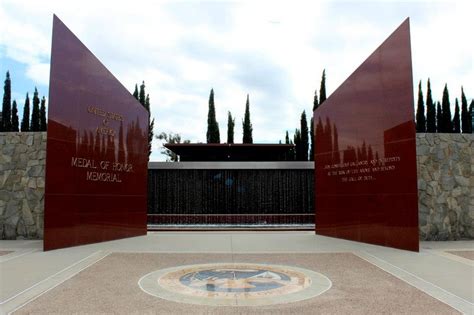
{"x":446,"y":186}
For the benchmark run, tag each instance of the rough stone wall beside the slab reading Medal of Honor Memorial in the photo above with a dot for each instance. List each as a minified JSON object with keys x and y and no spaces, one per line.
{"x":22,"y":165}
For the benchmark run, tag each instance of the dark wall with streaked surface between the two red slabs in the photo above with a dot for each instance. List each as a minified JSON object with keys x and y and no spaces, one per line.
{"x":230,"y":196}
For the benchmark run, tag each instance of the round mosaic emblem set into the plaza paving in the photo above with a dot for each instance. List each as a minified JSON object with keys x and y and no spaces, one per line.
{"x":238,"y":284}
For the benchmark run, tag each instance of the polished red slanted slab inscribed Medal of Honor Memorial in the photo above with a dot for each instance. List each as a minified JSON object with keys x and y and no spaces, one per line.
{"x":97,"y":150}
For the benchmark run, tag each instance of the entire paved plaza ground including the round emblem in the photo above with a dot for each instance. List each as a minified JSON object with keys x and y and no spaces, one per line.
{"x":236,"y":273}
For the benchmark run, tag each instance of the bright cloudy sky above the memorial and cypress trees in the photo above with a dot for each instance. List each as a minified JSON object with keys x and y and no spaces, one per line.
{"x":273,"y":50}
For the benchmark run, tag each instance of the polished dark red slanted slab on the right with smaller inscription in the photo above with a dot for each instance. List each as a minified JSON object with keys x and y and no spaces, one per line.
{"x":365,"y":152}
